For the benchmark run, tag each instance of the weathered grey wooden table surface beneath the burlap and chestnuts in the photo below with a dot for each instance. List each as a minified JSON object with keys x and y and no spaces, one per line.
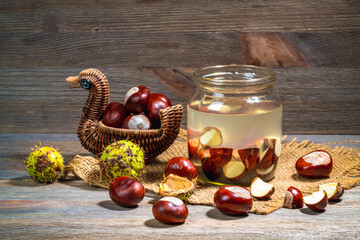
{"x":73,"y":209}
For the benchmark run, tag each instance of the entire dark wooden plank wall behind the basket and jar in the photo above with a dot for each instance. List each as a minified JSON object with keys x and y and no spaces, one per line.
{"x":314,"y":47}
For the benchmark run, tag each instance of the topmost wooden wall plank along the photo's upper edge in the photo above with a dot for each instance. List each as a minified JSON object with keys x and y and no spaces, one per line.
{"x":178,"y":16}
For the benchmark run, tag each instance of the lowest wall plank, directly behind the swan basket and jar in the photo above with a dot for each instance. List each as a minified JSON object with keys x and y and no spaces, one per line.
{"x":37,"y":100}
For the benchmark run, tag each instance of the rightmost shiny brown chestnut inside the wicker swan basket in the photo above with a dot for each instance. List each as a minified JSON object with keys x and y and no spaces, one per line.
{"x":157,"y":102}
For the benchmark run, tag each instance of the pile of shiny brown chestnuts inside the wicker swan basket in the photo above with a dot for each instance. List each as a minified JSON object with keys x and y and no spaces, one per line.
{"x":140,"y":110}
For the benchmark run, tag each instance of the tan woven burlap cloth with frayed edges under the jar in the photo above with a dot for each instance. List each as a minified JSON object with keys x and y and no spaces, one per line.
{"x":346,"y":170}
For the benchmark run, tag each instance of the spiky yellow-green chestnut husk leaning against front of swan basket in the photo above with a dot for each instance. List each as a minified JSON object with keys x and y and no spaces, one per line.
{"x":122,"y":158}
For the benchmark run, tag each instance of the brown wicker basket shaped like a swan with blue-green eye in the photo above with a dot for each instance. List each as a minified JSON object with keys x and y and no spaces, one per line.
{"x":95,"y":136}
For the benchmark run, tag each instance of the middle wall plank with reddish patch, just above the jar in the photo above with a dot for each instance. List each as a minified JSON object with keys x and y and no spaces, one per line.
{"x":183,"y":49}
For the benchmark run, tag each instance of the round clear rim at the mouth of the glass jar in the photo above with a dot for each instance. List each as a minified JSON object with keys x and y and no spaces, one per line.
{"x":209,"y":75}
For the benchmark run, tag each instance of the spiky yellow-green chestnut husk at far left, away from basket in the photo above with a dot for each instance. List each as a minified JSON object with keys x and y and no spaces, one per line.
{"x":44,"y":164}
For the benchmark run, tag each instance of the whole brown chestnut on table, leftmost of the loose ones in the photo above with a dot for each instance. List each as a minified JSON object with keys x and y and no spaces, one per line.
{"x":126,"y":192}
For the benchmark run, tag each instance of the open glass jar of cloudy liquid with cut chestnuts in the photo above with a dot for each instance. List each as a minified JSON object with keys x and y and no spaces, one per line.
{"x":234,"y":123}
